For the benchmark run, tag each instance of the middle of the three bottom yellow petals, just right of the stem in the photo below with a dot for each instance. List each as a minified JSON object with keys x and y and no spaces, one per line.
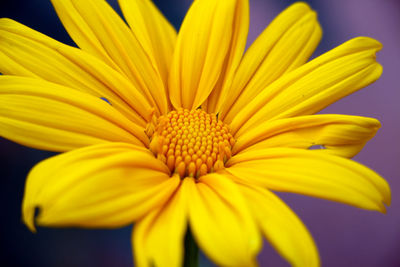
{"x":221,"y":222}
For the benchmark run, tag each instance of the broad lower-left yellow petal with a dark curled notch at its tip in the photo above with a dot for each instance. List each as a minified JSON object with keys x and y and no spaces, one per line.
{"x":107,"y":185}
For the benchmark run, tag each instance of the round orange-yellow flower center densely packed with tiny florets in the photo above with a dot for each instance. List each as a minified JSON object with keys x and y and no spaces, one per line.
{"x":191,"y":142}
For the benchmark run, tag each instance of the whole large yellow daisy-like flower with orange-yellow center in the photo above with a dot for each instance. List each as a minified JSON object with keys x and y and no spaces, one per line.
{"x":169,"y":130}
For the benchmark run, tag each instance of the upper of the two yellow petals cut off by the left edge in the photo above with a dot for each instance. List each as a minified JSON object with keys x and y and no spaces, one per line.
{"x":32,"y":54}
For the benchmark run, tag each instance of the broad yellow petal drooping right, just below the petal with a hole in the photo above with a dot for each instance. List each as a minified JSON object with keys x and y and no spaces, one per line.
{"x":314,"y":174}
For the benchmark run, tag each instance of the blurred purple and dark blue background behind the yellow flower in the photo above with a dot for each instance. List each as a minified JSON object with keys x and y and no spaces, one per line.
{"x":345,"y":236}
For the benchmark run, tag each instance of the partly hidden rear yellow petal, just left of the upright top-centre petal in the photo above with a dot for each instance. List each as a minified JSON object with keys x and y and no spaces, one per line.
{"x":156,"y":35}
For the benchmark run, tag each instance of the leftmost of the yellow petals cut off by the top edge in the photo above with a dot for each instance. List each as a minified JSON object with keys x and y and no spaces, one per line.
{"x":97,"y":29}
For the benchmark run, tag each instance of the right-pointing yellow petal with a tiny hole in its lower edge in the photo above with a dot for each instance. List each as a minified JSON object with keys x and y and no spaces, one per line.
{"x":340,"y":135}
